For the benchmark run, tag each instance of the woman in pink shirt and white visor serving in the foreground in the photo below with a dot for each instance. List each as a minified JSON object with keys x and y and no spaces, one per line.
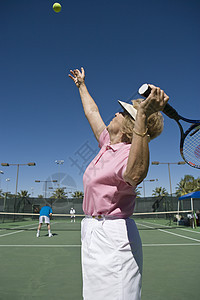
{"x":111,"y":245}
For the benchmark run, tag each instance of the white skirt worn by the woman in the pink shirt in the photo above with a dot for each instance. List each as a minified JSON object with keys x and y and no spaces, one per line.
{"x":111,"y":259}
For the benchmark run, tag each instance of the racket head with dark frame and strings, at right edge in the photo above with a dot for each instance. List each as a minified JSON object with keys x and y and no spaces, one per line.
{"x":190,"y":146}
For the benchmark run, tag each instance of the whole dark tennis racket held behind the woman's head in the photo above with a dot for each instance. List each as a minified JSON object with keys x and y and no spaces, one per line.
{"x":190,"y":139}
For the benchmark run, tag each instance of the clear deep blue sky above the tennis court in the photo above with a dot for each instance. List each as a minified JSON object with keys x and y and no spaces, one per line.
{"x":121,"y":44}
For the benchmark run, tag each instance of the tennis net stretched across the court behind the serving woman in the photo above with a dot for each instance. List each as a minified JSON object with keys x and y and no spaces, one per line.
{"x":151,"y":220}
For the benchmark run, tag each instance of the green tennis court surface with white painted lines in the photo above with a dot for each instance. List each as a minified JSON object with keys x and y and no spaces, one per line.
{"x":50,"y":268}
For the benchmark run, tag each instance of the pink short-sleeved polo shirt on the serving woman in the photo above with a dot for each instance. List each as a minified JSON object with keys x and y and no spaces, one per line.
{"x":105,"y":191}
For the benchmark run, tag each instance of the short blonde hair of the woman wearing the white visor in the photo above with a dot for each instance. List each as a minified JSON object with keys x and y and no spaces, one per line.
{"x":155,"y":124}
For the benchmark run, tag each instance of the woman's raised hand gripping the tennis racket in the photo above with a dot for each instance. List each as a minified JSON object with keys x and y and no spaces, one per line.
{"x":156,"y":101}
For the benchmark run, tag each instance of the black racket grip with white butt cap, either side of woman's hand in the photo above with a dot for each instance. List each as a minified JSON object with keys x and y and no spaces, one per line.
{"x":168,"y":110}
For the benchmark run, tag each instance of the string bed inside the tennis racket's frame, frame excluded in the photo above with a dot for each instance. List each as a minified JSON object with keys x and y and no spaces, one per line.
{"x":191,"y":148}
